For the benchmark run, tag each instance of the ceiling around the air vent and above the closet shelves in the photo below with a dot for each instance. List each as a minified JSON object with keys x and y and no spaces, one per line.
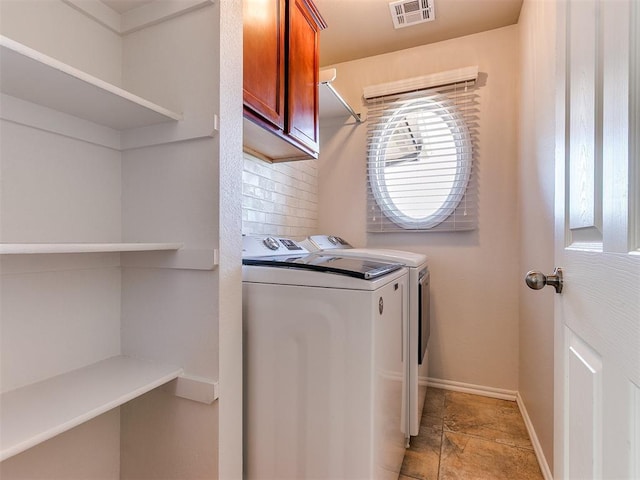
{"x":362,"y":28}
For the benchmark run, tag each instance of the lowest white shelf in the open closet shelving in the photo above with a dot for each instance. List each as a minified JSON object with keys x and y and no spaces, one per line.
{"x":38,"y":412}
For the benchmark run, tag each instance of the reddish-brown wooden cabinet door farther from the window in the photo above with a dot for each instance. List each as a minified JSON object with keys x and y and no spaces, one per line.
{"x":264,"y":60}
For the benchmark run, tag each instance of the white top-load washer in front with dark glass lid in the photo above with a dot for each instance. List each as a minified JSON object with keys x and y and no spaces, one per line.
{"x":323,"y":364}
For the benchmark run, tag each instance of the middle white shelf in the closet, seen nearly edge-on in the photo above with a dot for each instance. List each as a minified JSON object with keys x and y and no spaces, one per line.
{"x":36,"y":248}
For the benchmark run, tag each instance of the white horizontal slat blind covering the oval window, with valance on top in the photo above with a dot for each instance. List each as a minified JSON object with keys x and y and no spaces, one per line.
{"x":421,"y":165}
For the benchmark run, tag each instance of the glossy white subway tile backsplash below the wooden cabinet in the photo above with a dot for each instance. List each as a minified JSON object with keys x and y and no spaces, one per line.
{"x":280,"y":198}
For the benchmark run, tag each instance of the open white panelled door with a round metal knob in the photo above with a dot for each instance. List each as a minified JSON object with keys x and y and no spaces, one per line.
{"x":597,"y":316}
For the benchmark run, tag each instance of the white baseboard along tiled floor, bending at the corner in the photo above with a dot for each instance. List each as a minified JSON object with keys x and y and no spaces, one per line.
{"x":502,"y":394}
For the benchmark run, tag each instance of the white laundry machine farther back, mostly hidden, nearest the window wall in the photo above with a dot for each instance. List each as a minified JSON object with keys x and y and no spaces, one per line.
{"x":418,"y":304}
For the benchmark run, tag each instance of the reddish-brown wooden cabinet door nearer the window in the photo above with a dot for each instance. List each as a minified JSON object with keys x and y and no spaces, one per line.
{"x":303,"y":58}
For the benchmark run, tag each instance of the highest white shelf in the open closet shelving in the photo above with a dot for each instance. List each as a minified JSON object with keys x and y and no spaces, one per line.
{"x":30,"y":75}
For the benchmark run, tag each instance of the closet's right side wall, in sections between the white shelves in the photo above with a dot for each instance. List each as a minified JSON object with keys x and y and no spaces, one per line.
{"x":158,"y":437}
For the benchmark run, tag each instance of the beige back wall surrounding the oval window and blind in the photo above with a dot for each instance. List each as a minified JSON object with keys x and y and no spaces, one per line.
{"x":475,"y":276}
